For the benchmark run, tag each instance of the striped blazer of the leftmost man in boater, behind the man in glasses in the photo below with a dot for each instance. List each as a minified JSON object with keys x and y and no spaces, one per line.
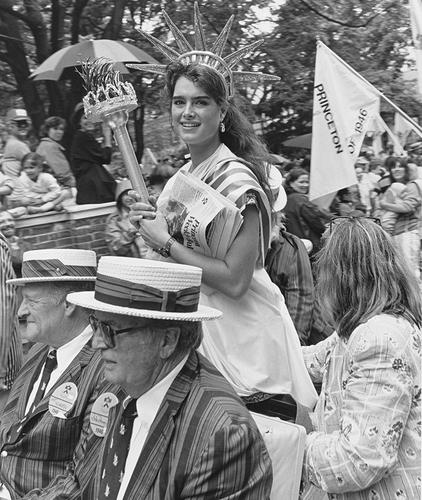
{"x":37,"y":449}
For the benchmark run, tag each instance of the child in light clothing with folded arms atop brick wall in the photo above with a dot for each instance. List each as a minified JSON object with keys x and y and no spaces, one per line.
{"x":35,"y":189}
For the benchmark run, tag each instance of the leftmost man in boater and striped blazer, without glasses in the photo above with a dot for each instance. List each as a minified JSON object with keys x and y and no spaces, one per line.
{"x":48,"y":413}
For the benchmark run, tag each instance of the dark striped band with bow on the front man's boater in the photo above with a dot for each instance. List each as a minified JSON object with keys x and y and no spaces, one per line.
{"x":118,"y":292}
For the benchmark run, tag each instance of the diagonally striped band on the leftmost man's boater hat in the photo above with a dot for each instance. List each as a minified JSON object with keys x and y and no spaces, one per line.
{"x":54,"y":268}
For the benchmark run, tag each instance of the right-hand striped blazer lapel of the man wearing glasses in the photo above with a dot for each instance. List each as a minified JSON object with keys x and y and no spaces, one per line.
{"x":161,"y":431}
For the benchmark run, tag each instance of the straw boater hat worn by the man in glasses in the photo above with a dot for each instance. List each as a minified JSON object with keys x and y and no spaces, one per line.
{"x":147,"y":289}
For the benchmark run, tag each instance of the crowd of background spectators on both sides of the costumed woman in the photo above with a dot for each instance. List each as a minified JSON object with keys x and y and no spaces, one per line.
{"x":49,"y":179}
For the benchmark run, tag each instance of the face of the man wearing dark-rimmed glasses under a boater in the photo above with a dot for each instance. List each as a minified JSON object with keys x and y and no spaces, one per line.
{"x":135,"y":362}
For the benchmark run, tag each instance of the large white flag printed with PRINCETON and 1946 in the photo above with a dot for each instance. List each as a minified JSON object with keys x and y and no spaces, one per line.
{"x":344,"y":104}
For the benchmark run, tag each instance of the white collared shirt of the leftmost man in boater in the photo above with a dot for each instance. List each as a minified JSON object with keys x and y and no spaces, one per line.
{"x":65,"y":355}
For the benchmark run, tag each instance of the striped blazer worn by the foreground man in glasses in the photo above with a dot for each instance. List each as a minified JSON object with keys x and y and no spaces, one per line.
{"x":203,"y":444}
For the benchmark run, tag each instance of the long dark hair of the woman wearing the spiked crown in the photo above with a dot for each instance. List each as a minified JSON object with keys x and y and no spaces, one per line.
{"x":239,"y":135}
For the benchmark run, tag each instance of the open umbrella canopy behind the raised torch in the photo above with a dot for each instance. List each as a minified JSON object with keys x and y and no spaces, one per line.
{"x":73,"y":55}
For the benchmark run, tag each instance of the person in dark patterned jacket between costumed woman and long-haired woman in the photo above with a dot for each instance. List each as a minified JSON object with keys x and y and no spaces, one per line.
{"x":288,"y":265}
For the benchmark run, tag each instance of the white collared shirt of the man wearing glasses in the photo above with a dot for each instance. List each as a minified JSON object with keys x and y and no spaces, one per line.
{"x":147,"y":407}
